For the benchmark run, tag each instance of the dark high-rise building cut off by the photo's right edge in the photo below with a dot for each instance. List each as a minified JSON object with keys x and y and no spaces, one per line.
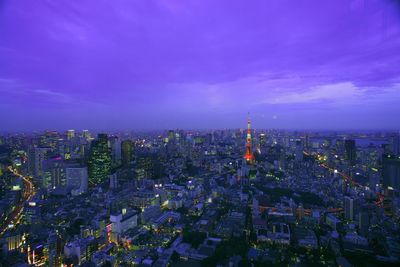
{"x":391,"y":172}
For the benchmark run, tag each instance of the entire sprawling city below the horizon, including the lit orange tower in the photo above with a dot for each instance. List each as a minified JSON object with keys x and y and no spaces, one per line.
{"x":239,"y":197}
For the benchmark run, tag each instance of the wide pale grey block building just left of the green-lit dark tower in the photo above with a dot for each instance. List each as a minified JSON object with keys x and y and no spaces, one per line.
{"x":77,"y":179}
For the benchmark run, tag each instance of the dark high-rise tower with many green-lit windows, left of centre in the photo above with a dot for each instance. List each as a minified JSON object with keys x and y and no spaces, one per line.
{"x":99,"y":163}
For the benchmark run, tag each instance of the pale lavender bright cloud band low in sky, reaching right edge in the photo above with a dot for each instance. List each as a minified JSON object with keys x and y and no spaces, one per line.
{"x":274,"y":89}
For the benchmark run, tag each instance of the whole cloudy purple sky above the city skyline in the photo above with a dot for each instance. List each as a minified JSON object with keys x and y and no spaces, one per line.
{"x":145,"y":64}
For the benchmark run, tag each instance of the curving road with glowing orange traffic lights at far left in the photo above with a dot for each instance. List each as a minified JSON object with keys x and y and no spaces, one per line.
{"x":29,"y":192}
